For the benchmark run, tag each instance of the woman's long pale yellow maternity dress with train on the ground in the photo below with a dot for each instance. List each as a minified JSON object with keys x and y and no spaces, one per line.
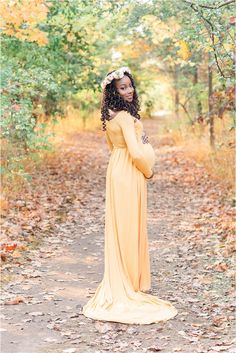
{"x":119,"y":296}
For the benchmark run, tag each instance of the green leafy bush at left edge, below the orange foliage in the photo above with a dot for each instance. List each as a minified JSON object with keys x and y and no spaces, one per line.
{"x":22,"y":92}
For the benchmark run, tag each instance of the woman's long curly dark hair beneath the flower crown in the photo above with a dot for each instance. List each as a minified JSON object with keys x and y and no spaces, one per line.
{"x":112,"y":100}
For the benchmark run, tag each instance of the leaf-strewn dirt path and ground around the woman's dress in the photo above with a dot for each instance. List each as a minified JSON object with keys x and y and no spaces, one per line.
{"x":52,"y":261}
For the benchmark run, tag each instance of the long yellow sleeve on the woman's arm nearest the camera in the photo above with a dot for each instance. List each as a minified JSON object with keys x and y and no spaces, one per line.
{"x":127,"y":124}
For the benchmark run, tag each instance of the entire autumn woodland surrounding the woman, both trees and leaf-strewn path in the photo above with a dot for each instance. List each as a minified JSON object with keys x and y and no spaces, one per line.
{"x":54,"y":55}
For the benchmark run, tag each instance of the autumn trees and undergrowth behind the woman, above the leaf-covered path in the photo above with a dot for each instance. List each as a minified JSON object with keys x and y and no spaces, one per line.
{"x":54,"y":55}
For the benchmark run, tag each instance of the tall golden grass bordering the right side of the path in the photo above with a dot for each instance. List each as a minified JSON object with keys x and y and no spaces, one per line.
{"x":219,"y":162}
